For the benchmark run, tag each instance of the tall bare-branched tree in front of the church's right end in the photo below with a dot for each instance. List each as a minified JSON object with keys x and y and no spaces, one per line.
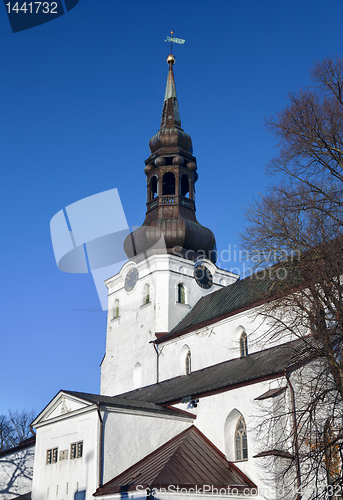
{"x":297,"y":228}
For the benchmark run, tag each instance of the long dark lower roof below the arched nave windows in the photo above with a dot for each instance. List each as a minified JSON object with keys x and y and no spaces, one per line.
{"x":263,"y":365}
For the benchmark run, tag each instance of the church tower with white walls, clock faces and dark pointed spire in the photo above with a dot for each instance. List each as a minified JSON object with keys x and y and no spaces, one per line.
{"x":172,"y":260}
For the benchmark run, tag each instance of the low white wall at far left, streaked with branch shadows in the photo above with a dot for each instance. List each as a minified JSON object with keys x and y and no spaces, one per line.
{"x":16,"y":472}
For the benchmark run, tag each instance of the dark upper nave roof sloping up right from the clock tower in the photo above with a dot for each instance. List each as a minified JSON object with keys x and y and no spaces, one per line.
{"x":237,"y":297}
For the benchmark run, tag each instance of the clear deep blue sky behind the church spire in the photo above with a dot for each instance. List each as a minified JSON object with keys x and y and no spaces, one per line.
{"x":80,"y":98}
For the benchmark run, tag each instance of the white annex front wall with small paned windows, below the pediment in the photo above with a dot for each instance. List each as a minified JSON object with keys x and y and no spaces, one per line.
{"x":67,"y":478}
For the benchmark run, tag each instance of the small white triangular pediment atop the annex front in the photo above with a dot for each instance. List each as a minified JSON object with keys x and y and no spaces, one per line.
{"x":62,"y":405}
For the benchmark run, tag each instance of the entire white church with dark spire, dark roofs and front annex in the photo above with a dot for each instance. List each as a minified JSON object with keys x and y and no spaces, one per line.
{"x":176,"y":413}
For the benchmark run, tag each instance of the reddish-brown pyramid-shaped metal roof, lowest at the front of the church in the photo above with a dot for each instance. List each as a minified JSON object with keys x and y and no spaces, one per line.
{"x":187,"y":460}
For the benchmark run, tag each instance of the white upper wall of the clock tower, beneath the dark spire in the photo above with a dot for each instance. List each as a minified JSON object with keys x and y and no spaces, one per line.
{"x":132,"y":327}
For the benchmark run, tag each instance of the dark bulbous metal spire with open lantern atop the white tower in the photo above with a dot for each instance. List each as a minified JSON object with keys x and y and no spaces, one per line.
{"x":171,"y":176}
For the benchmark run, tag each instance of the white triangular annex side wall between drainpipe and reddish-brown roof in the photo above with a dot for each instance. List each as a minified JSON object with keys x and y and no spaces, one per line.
{"x":130,"y":437}
